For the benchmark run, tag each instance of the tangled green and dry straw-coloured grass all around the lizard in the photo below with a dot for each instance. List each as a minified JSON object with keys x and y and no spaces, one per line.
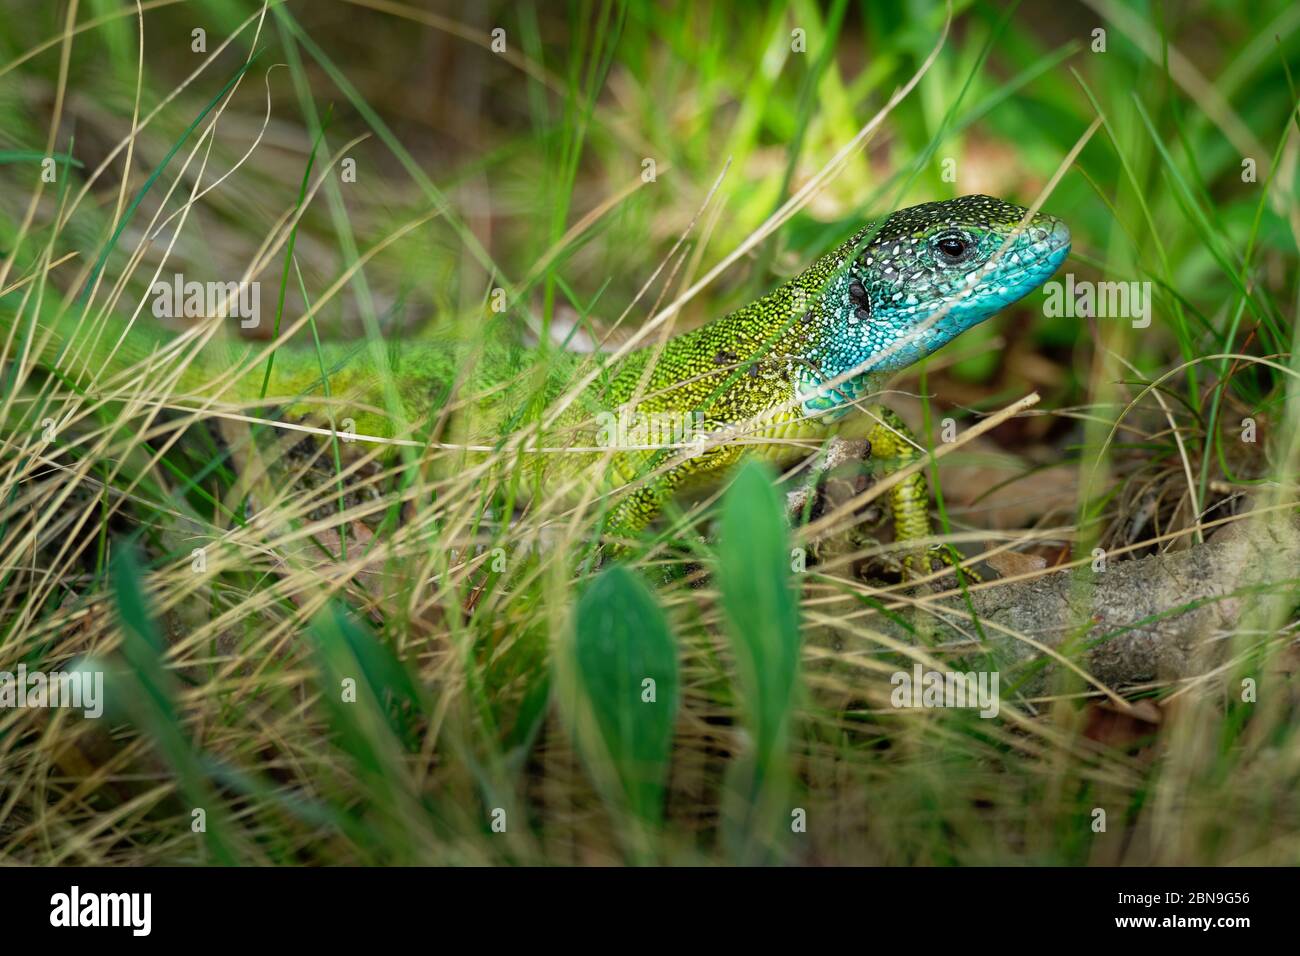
{"x":327,"y":652}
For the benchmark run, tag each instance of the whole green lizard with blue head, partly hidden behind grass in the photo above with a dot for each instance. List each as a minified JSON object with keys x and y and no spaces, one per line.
{"x":773,"y":379}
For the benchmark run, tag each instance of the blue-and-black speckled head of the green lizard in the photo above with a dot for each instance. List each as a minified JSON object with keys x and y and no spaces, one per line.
{"x":934,"y":271}
